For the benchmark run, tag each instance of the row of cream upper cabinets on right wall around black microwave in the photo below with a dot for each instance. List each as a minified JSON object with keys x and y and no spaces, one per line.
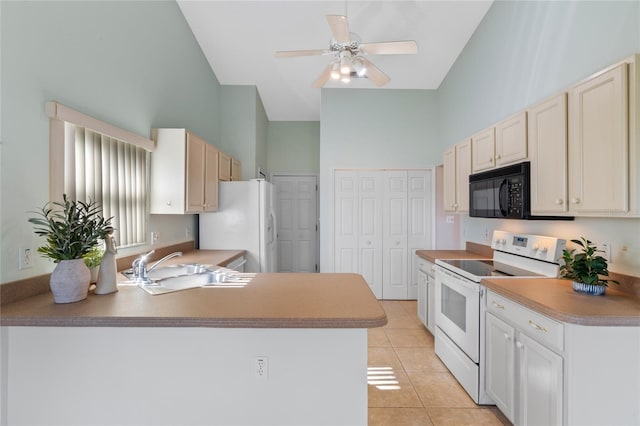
{"x":583,"y":145}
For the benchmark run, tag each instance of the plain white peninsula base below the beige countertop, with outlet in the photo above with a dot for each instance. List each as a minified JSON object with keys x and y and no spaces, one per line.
{"x":183,"y":376}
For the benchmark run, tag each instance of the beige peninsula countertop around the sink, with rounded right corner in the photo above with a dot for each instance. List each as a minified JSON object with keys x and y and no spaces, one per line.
{"x":269,"y":300}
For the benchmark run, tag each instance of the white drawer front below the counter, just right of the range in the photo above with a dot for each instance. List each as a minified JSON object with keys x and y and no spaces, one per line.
{"x":540,"y":327}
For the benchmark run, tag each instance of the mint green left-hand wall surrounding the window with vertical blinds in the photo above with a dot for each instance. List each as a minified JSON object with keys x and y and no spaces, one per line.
{"x":134,"y":64}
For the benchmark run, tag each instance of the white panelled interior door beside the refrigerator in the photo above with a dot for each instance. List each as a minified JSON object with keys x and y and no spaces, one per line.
{"x":297,"y":213}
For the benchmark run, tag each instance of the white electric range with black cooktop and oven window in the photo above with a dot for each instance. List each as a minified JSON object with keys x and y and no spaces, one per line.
{"x":459,"y":337}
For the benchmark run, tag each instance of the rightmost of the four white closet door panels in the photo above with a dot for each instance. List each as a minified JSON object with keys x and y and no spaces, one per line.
{"x":419,"y":219}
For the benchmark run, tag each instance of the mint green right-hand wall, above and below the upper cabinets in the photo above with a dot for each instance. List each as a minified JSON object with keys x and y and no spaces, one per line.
{"x":523,"y":52}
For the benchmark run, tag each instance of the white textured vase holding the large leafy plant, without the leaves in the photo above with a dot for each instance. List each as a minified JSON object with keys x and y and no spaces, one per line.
{"x":69,"y":281}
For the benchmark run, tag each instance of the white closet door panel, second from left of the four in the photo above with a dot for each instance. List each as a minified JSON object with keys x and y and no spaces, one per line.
{"x":370,"y":230}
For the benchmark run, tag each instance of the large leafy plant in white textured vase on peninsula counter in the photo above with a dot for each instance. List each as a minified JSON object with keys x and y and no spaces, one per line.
{"x":72,"y":229}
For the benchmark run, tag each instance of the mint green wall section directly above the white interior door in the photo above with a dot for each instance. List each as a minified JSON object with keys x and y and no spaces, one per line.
{"x":293,"y":147}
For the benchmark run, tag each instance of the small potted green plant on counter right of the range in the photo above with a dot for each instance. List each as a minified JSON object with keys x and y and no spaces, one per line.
{"x":586,"y":268}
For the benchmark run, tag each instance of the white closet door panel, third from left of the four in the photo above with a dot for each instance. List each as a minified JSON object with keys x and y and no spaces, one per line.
{"x":395,"y":281}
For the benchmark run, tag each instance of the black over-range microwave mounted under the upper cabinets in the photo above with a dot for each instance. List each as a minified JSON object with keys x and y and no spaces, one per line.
{"x":503,"y":193}
